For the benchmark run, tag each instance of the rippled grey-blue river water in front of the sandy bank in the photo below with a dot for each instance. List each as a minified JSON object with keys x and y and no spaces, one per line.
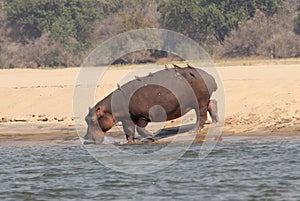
{"x":234,"y":170}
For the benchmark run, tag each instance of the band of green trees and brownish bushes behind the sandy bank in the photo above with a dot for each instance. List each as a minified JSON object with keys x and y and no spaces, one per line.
{"x":38,"y":33}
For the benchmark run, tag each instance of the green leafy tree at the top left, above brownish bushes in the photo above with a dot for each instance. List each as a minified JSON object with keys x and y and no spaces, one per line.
{"x":64,"y":20}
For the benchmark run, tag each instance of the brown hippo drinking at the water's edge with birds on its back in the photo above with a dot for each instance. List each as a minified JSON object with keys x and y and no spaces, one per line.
{"x":161,"y":96}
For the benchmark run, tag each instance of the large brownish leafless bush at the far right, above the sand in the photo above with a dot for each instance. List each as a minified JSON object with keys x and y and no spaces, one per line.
{"x":264,"y":36}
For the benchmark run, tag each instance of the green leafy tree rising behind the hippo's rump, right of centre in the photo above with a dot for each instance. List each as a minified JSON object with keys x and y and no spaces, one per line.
{"x":202,"y":19}
